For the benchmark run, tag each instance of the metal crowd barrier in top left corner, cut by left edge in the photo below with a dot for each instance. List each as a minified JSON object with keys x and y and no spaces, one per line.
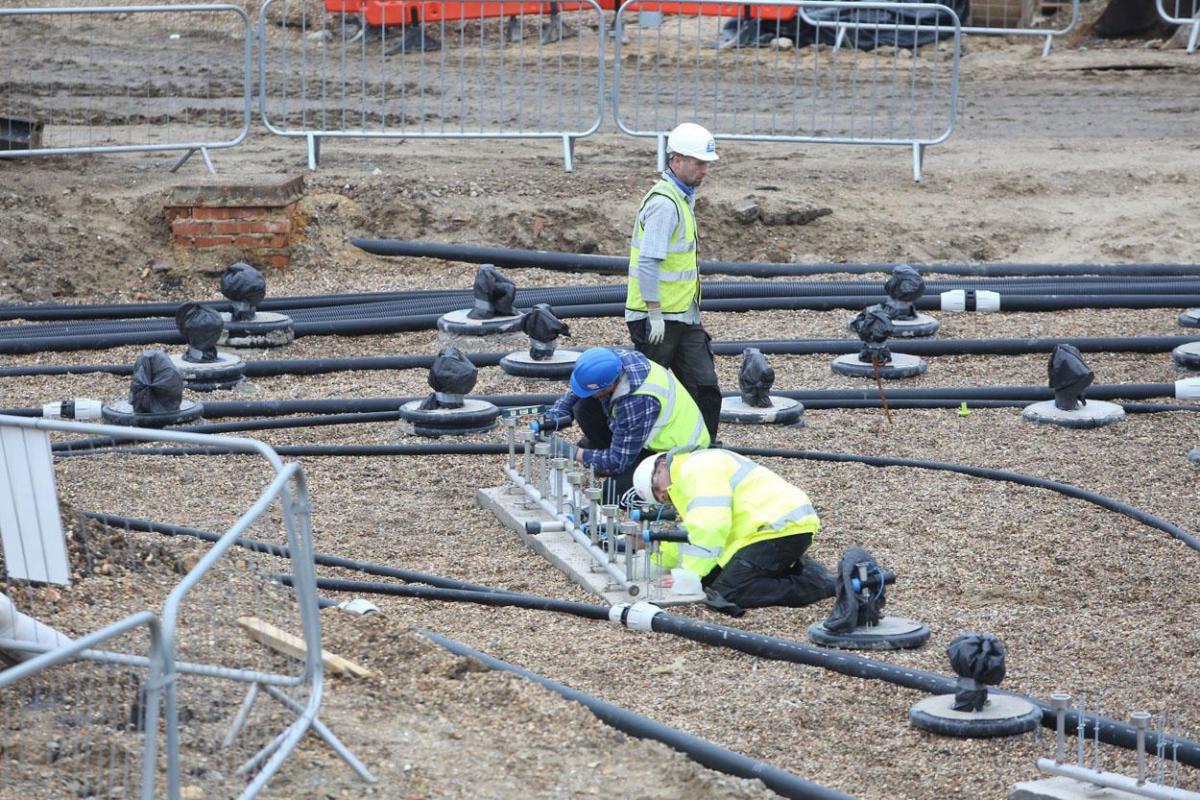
{"x":119,"y":80}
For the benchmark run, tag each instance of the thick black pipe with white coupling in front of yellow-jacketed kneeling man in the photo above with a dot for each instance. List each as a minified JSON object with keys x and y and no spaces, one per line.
{"x":777,"y":649}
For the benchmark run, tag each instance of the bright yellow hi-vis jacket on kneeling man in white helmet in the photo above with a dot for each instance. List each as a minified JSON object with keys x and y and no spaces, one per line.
{"x":728,"y":502}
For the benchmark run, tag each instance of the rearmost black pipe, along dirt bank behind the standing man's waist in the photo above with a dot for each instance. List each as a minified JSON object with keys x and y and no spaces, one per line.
{"x":509,"y":257}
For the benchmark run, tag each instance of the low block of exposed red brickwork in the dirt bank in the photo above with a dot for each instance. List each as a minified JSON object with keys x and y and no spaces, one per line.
{"x":254,"y":218}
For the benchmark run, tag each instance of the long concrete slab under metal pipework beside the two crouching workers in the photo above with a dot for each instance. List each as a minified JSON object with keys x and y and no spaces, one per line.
{"x":514,"y":510}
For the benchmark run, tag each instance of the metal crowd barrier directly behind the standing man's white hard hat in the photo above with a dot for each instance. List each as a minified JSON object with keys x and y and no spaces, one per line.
{"x":800,"y":89}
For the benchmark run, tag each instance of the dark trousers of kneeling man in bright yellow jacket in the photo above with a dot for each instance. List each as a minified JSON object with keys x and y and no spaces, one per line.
{"x":773,"y":573}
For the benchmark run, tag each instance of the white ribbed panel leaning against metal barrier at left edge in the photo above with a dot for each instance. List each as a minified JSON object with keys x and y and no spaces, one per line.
{"x":31,"y":528}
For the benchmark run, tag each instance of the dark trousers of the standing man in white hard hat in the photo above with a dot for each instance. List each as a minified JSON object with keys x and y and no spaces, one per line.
{"x":686,"y":351}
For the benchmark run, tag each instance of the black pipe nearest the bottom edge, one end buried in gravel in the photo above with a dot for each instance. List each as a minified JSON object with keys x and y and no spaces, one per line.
{"x":699,"y":750}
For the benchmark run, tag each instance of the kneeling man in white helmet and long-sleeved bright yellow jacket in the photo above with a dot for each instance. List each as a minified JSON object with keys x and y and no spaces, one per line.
{"x":748,"y":530}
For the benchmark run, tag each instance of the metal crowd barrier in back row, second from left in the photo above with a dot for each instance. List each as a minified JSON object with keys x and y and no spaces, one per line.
{"x":454,"y":70}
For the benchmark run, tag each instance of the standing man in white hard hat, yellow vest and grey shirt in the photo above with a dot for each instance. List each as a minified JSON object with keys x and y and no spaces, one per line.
{"x":663,"y":303}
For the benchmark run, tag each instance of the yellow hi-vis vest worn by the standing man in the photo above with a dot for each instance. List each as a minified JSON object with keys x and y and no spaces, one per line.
{"x":679,"y":276}
